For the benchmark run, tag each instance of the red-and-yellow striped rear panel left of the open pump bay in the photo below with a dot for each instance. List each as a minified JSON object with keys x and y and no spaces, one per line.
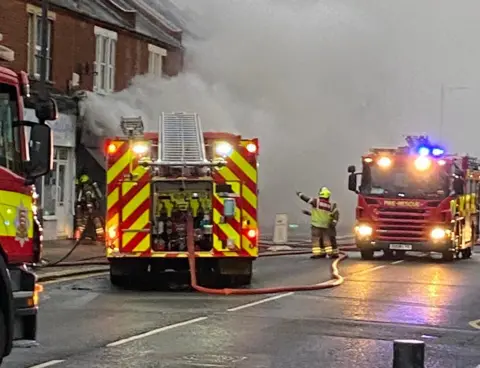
{"x":135,"y":217}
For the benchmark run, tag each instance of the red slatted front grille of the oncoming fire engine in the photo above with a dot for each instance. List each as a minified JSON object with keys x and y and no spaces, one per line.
{"x":402,"y":224}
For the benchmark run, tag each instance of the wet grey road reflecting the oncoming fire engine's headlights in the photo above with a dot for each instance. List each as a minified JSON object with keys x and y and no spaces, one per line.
{"x":87,"y":323}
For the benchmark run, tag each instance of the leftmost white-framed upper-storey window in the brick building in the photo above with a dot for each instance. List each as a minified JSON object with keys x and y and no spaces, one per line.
{"x":35,"y":42}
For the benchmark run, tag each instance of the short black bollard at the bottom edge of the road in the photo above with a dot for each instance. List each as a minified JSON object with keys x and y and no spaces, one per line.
{"x":408,"y":354}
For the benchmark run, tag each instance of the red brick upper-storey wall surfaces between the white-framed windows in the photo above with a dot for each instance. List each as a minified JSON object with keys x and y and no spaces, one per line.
{"x":74,"y":44}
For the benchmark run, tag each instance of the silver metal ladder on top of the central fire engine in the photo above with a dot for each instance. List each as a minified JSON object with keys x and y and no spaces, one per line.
{"x":181,"y":139}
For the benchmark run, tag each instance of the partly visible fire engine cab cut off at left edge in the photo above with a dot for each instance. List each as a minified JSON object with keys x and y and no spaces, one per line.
{"x":23,"y":158}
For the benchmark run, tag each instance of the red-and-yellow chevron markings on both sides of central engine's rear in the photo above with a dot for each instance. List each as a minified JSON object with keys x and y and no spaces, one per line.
{"x":128,"y":205}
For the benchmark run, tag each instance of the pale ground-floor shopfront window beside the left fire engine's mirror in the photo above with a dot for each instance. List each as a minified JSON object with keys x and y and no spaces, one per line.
{"x":54,"y":183}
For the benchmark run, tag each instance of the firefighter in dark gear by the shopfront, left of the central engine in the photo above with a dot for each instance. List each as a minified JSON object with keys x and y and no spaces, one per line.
{"x":87,"y":206}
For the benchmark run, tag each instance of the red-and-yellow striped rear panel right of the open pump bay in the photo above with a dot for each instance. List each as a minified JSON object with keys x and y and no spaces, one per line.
{"x":227,"y":229}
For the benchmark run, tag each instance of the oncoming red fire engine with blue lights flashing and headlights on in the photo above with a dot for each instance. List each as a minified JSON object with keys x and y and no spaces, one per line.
{"x":416,"y":198}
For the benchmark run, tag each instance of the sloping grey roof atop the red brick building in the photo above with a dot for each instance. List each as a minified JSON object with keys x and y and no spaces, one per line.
{"x":104,"y":12}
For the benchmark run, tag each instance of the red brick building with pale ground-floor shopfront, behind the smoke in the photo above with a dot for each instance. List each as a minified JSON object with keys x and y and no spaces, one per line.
{"x":93,"y":45}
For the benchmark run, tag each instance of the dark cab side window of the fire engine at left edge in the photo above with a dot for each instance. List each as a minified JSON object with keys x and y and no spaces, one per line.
{"x":10,"y":153}
